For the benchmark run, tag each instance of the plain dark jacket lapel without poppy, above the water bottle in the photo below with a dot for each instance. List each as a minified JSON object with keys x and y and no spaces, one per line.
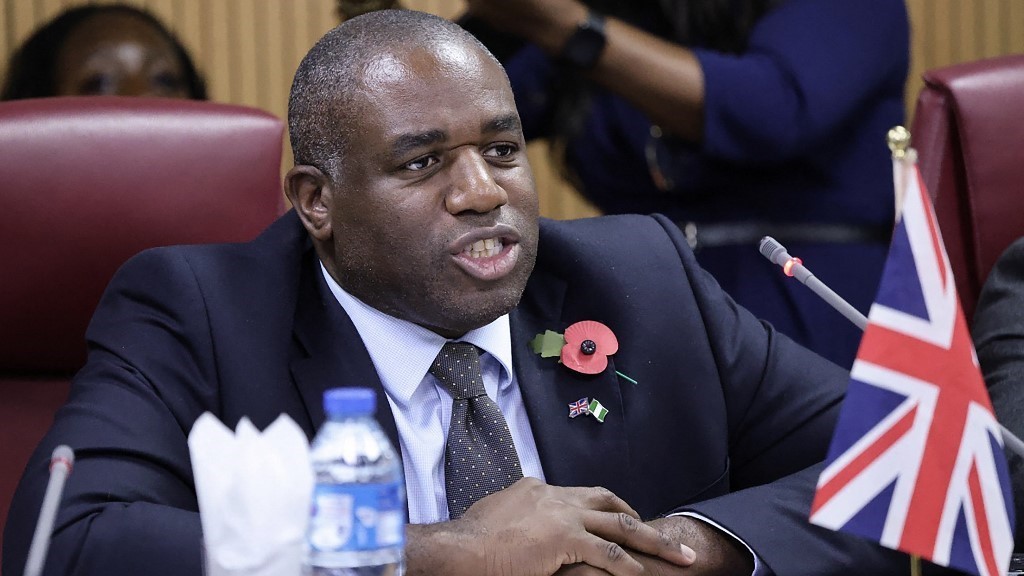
{"x":332,"y":354}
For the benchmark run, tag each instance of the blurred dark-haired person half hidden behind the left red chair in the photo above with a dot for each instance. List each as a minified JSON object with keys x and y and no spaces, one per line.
{"x":110,"y":50}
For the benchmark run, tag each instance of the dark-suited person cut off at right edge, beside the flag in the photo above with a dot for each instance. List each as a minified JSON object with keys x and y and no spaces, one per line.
{"x":999,"y":338}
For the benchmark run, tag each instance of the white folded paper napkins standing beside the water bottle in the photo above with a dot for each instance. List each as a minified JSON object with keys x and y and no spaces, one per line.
{"x":254,"y":493}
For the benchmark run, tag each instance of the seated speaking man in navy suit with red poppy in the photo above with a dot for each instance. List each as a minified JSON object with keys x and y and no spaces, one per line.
{"x":415,"y":217}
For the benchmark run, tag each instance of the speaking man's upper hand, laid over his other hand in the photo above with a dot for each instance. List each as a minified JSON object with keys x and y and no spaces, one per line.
{"x":534,"y":529}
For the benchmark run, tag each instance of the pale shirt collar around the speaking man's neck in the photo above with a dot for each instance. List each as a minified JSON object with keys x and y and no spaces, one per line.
{"x":403,"y":352}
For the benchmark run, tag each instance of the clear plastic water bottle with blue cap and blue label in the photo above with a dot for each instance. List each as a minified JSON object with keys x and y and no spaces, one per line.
{"x":358,"y":522}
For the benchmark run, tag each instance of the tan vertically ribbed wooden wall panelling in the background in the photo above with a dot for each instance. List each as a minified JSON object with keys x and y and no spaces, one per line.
{"x":248,"y":50}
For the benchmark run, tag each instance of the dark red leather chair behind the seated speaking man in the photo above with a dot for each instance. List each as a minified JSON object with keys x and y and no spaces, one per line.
{"x":87,"y":183}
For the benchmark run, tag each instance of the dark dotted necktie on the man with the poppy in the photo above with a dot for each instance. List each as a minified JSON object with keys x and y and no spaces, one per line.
{"x":480,"y":457}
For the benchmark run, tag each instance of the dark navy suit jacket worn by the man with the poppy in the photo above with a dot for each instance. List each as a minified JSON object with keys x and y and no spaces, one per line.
{"x":722,"y":409}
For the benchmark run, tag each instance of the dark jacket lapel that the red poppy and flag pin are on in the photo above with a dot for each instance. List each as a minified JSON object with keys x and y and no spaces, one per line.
{"x":578,"y":451}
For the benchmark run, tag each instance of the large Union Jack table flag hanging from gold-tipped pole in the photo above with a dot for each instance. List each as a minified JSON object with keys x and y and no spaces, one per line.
{"x":917,"y":460}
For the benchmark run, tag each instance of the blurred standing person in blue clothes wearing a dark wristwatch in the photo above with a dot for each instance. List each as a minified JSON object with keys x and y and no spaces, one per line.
{"x":736,"y":118}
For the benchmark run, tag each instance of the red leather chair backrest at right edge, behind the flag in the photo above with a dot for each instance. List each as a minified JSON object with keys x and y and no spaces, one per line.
{"x":969,"y":134}
